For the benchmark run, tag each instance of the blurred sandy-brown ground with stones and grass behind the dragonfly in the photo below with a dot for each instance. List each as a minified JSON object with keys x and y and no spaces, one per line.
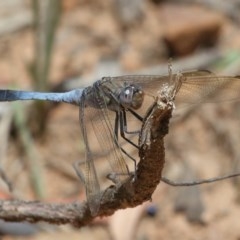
{"x":55,"y":45}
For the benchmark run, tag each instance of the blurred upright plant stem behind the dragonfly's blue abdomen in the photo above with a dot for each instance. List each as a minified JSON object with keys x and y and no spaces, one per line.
{"x":46,"y":17}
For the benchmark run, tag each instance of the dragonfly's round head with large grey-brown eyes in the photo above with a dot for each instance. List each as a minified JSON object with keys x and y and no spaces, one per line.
{"x":131,"y":96}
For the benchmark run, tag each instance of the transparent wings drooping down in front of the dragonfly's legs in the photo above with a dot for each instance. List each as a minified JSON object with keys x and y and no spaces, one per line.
{"x":97,"y":129}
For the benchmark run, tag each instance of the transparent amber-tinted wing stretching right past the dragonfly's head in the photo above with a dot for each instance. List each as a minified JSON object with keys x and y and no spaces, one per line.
{"x":197,"y":86}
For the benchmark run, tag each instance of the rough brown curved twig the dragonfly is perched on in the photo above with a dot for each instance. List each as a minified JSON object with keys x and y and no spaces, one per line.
{"x":129,"y":194}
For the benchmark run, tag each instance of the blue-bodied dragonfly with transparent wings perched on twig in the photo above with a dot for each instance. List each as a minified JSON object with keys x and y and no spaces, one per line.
{"x":123,"y":96}
